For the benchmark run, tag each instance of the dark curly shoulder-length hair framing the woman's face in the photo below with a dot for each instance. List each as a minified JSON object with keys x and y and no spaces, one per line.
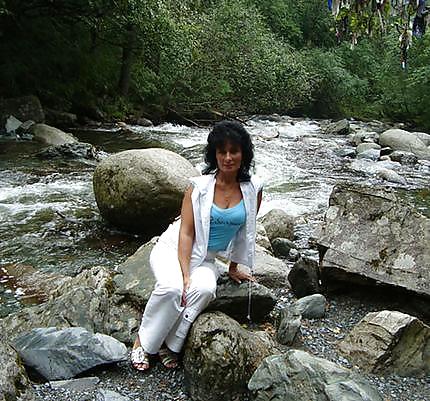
{"x":234,"y":132}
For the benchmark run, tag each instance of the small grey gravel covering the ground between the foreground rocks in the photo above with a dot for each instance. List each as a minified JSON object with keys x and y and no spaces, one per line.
{"x":318,"y":336}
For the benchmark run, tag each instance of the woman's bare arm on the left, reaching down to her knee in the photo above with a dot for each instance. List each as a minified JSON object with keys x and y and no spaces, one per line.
{"x":186,"y":239}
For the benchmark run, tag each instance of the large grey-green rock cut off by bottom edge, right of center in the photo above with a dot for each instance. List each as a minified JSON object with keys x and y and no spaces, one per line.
{"x":299,"y":376}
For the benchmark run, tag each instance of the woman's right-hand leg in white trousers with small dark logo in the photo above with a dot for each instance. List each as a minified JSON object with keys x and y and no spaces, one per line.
{"x":202,"y":290}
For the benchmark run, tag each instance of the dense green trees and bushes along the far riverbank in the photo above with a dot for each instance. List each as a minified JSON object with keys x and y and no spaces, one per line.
{"x":199,"y":58}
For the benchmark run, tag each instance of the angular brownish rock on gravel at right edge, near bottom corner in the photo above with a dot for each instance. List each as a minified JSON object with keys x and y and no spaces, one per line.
{"x":389,"y":342}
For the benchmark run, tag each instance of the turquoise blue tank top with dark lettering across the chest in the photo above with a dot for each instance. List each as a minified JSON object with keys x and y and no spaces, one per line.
{"x":224,"y":225}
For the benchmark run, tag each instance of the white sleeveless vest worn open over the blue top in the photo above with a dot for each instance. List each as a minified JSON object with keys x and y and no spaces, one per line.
{"x":242,"y":247}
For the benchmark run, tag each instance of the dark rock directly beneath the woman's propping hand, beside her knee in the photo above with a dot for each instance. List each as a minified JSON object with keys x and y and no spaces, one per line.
{"x":232,"y":299}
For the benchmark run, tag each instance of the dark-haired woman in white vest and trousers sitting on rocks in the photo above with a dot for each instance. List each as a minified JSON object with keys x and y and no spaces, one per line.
{"x":218,"y":216}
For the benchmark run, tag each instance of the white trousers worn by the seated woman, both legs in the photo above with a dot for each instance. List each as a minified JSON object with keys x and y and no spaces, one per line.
{"x":164,"y":319}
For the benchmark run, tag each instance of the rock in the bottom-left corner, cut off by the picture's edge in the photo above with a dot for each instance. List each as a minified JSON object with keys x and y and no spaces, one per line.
{"x":14,"y":382}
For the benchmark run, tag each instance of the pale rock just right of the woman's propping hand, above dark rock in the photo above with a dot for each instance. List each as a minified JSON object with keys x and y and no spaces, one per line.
{"x":270,"y":271}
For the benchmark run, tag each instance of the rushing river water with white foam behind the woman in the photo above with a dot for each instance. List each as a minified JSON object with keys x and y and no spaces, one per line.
{"x":49,"y":218}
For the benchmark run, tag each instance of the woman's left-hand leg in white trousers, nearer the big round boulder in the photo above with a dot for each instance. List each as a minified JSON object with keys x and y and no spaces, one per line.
{"x":164,"y":305}
